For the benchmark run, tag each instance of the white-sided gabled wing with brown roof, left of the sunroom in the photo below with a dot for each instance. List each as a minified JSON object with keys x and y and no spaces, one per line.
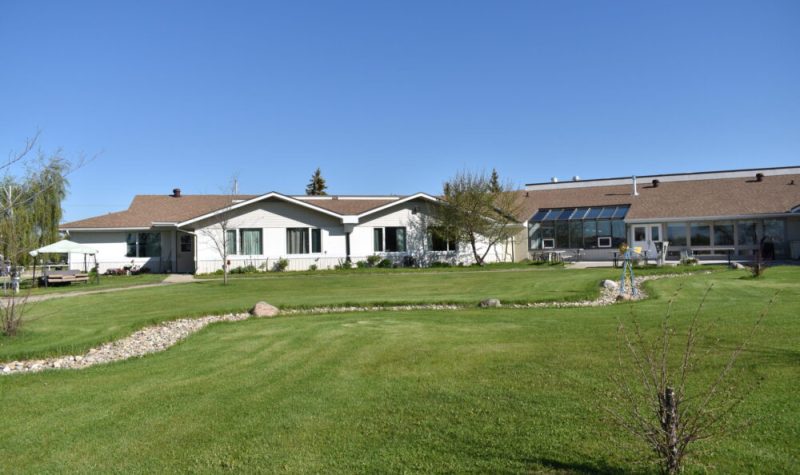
{"x":181,"y":233}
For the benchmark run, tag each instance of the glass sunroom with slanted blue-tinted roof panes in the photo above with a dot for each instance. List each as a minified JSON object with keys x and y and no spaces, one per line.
{"x":590,"y":227}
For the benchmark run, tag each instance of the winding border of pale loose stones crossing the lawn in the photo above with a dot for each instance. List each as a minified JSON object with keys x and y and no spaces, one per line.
{"x":162,"y":336}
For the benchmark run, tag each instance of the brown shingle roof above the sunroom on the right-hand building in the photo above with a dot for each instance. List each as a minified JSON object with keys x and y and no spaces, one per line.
{"x":677,"y":199}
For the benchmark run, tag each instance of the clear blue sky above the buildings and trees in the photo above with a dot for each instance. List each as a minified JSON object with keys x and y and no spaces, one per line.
{"x":394,"y":97}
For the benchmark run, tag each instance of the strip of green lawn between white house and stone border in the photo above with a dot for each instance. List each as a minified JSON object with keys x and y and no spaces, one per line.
{"x":68,"y":326}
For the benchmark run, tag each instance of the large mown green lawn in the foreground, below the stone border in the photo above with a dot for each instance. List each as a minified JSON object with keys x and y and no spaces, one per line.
{"x":493,"y":390}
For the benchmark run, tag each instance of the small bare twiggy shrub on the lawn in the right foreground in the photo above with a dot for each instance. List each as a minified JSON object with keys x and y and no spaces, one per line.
{"x":651,"y":399}
